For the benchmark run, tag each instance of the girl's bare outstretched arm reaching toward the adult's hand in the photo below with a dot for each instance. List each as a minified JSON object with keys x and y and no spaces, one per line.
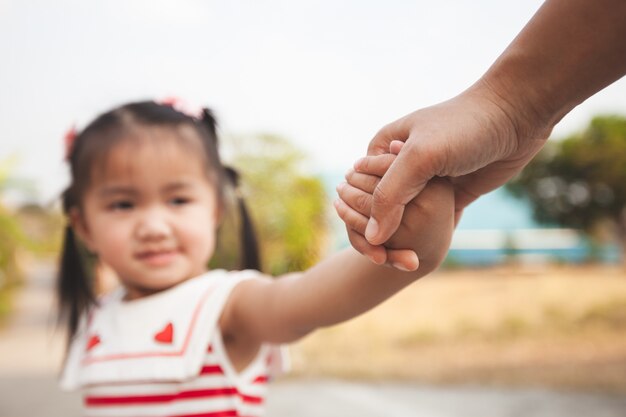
{"x":344,"y":285}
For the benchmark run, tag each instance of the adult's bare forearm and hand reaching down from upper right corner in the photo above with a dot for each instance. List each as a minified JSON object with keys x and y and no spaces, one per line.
{"x":567,"y":52}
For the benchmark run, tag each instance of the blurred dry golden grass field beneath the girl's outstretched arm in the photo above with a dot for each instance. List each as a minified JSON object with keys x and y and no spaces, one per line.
{"x":562,"y":327}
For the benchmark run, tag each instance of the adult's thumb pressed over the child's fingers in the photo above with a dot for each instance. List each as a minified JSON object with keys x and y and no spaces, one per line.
{"x":400,"y":184}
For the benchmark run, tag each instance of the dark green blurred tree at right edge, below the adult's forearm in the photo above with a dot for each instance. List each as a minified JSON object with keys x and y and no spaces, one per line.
{"x":580,"y":181}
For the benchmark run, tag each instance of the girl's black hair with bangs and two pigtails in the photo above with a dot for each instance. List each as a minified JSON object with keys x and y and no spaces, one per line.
{"x":90,"y":148}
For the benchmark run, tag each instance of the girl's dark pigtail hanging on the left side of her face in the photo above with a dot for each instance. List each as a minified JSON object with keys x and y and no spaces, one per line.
{"x":74,"y":287}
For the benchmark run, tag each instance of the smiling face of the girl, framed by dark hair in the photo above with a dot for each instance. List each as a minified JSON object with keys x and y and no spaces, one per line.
{"x":151,"y":215}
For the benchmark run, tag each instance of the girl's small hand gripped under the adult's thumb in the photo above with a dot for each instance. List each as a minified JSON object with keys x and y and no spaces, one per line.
{"x":426,"y":227}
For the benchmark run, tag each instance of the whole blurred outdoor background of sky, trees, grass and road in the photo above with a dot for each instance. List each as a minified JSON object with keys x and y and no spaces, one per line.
{"x":528,"y":312}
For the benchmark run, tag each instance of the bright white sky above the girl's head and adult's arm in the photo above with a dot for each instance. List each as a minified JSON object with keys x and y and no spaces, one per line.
{"x":326,"y":74}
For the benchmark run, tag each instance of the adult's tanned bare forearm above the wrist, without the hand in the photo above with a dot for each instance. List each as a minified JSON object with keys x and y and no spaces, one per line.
{"x":567,"y":52}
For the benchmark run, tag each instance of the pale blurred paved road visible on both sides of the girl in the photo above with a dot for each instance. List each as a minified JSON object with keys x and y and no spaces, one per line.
{"x":30,"y":353}
